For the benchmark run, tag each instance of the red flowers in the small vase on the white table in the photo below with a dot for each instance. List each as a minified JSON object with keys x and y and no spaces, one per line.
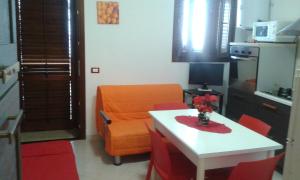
{"x":204,"y":103}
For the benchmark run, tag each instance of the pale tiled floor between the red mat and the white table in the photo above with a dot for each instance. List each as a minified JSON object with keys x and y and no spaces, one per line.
{"x":94,"y":164}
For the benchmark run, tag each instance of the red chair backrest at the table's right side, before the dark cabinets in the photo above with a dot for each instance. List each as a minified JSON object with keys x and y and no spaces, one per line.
{"x":255,"y":124}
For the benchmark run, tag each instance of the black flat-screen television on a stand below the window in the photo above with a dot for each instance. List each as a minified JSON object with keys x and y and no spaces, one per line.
{"x":206,"y":74}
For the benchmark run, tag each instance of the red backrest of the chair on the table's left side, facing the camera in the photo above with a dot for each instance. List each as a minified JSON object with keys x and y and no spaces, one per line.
{"x":160,"y":155}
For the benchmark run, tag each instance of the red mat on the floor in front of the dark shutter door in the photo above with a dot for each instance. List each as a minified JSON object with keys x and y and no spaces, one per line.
{"x":52,"y":160}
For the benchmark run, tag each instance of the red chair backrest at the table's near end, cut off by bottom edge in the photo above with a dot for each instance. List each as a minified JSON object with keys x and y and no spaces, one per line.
{"x":255,"y":170}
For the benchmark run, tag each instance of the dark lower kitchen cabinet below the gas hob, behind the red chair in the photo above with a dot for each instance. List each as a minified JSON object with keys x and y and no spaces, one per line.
{"x":273,"y":113}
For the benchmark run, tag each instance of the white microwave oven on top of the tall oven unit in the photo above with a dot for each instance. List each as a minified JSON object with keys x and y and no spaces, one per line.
{"x":267,"y":32}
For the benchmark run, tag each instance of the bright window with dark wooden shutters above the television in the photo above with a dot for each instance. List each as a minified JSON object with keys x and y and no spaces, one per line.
{"x":202,"y":29}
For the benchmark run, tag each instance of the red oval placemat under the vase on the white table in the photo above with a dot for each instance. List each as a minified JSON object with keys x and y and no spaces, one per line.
{"x":212,"y":126}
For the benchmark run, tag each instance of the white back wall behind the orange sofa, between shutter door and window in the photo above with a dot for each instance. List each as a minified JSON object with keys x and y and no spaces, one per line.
{"x":137,"y":51}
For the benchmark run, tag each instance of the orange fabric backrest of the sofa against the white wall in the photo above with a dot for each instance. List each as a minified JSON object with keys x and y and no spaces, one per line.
{"x":128,"y":99}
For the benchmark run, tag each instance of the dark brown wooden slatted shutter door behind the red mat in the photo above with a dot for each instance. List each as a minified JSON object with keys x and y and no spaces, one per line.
{"x":46,"y":61}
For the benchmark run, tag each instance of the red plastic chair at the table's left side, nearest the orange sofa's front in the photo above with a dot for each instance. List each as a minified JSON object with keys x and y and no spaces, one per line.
{"x":169,"y":166}
